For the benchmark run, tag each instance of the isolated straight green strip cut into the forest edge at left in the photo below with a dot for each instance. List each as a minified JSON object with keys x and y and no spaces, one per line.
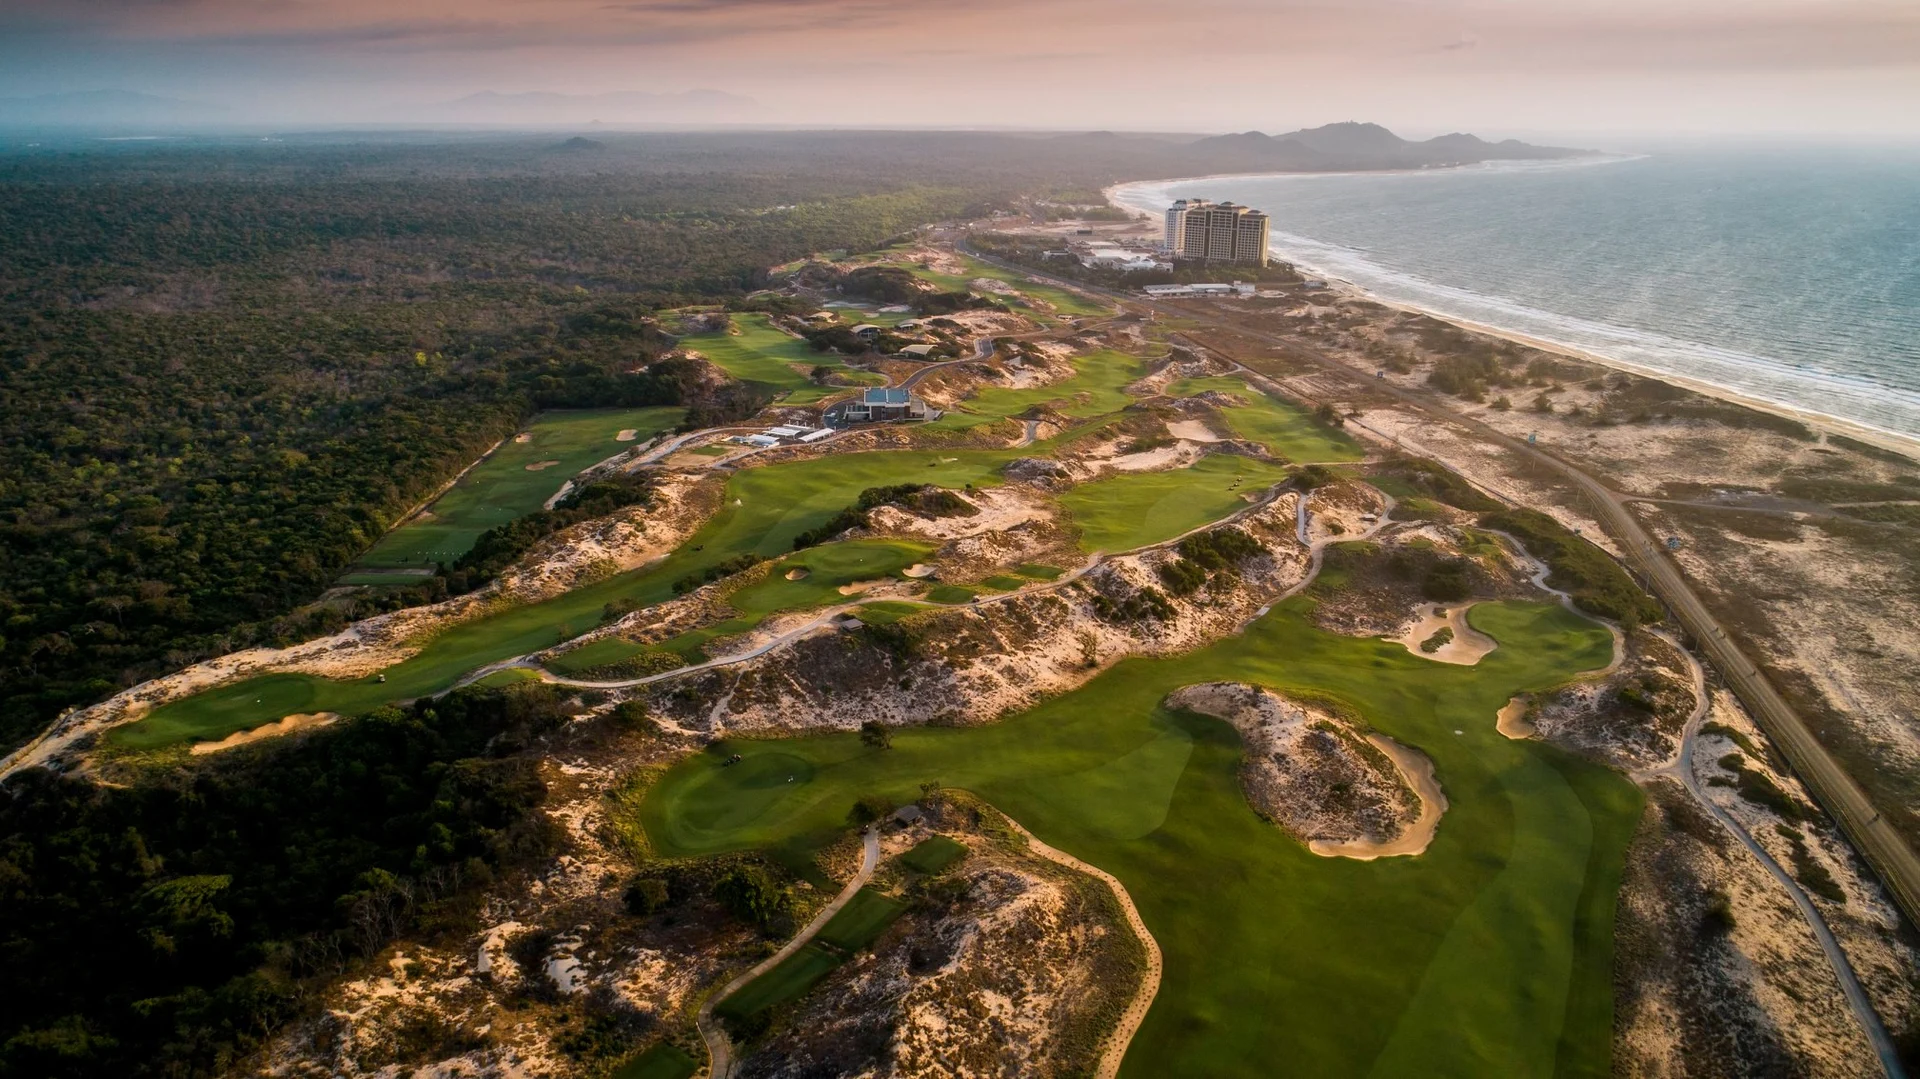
{"x":512,"y":483}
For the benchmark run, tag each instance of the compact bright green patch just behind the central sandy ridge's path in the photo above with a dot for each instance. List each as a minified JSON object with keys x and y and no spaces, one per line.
{"x":1132,"y":510}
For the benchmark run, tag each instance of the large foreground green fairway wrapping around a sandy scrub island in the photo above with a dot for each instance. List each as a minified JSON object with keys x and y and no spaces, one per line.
{"x":1489,"y":955}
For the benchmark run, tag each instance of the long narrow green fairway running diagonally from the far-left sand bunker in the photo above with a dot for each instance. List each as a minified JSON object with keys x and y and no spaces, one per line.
{"x":761,"y":516}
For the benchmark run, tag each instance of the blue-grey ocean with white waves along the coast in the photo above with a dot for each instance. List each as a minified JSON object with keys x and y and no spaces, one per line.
{"x":1788,"y":277}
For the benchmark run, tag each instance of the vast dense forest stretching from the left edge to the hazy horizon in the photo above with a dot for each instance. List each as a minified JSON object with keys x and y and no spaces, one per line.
{"x":228,"y":368}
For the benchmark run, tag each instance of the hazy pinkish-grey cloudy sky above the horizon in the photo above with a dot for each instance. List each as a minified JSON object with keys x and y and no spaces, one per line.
{"x":1527,"y":68}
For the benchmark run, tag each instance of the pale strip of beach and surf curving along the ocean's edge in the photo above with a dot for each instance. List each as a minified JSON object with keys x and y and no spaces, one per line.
{"x":1821,"y":423}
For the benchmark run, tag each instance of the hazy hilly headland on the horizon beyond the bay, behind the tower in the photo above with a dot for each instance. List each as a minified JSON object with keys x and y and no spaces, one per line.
{"x":1358,"y":147}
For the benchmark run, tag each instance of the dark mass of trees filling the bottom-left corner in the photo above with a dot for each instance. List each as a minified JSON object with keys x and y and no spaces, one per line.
{"x":168,"y":924}
